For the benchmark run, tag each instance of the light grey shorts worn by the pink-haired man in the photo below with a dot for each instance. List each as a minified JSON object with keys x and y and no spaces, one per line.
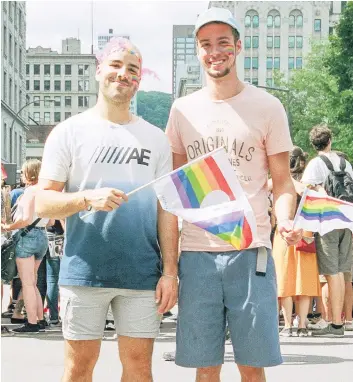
{"x":84,"y":310}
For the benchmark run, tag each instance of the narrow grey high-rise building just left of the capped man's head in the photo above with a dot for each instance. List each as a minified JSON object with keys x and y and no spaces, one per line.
{"x":184,"y":52}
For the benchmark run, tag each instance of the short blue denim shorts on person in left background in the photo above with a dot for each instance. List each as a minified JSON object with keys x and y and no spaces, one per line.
{"x":35,"y":243}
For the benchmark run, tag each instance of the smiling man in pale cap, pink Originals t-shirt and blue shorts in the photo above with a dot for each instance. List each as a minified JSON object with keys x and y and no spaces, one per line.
{"x":217,"y":283}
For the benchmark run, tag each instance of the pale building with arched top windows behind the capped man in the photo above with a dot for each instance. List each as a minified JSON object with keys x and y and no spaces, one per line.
{"x":278,"y":34}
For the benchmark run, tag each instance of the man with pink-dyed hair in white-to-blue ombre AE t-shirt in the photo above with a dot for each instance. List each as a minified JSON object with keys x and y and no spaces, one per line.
{"x":112,"y":256}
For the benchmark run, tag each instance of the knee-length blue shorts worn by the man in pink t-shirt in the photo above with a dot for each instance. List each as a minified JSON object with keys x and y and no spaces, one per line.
{"x":219,"y":289}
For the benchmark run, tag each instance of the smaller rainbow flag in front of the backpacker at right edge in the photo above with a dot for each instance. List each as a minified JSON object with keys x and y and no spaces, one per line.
{"x":322,"y":213}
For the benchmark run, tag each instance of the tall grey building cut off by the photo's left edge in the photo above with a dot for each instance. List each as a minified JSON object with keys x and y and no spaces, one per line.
{"x":13,"y":90}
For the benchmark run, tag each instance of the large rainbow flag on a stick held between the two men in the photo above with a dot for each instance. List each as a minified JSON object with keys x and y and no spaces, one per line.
{"x":207,"y":193}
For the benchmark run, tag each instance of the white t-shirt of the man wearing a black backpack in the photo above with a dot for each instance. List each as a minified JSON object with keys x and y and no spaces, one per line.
{"x":316,"y":171}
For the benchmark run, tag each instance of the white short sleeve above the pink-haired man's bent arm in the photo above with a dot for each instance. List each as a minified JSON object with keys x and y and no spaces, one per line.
{"x":57,"y":156}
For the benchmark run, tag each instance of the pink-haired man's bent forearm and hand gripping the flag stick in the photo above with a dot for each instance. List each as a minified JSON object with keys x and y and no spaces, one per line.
{"x":52,"y":203}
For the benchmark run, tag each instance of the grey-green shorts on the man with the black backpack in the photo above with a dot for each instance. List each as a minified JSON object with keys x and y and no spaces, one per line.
{"x":334,"y":252}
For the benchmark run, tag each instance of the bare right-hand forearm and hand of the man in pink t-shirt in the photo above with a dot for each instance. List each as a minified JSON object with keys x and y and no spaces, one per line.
{"x":284,"y":196}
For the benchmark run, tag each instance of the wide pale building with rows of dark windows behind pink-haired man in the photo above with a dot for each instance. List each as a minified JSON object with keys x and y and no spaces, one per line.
{"x":58,"y":86}
